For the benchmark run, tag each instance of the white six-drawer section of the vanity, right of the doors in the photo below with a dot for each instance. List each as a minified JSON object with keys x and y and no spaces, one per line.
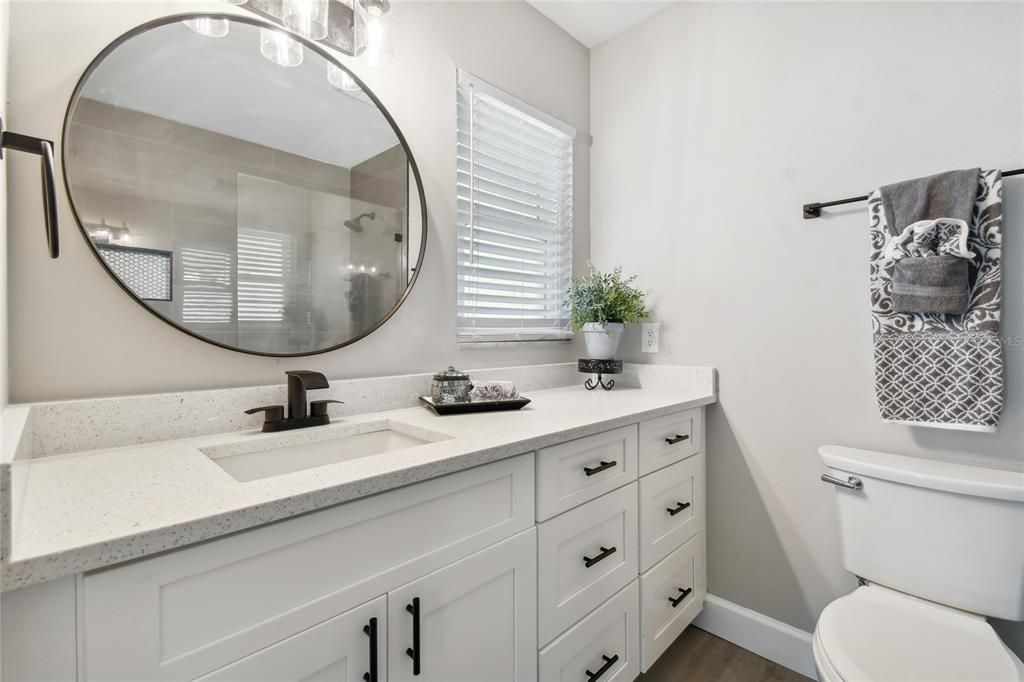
{"x":621,"y":547}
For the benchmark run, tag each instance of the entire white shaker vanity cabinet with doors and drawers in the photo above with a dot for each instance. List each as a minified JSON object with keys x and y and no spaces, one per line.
{"x":583,"y":562}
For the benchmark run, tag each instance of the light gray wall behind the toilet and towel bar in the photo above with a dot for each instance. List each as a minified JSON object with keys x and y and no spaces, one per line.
{"x":713,"y":124}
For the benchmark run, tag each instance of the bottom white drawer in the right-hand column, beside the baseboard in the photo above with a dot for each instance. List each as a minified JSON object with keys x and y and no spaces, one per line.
{"x":671,"y":596}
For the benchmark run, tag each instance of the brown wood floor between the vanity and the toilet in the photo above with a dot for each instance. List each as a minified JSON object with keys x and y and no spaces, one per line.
{"x":699,"y":657}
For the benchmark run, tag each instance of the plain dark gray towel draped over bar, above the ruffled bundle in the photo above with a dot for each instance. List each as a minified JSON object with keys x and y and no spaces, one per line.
{"x":948,"y":195}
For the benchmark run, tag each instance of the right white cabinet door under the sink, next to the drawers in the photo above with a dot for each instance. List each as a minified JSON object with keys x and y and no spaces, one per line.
{"x":474,"y":621}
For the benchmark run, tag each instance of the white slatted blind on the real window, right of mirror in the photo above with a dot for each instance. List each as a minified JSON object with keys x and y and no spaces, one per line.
{"x":516,"y":219}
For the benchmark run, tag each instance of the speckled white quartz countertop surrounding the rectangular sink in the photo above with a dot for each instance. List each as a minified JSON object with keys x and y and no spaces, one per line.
{"x":82,"y":511}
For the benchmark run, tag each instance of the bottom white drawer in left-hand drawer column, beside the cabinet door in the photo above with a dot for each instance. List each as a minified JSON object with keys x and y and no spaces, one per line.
{"x":609,"y":640}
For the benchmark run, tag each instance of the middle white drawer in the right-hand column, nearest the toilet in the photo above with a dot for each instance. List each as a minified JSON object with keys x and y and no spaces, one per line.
{"x":672,"y":509}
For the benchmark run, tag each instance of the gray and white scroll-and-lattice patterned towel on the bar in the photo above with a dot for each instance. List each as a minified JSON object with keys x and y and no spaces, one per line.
{"x":934,"y":370}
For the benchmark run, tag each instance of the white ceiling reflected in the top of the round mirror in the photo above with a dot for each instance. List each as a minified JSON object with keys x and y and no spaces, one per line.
{"x":225,"y":86}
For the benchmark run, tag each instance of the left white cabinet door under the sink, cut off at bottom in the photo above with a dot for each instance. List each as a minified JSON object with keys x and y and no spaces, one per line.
{"x":351,"y":648}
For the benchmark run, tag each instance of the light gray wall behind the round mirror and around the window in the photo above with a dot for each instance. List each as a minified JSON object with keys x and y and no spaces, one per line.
{"x":75,"y":334}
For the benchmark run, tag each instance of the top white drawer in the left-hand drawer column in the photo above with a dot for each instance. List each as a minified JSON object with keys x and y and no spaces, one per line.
{"x":571,"y":474}
